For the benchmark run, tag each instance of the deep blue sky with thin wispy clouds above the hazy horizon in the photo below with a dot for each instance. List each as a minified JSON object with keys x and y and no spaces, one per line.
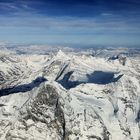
{"x":89,"y":22}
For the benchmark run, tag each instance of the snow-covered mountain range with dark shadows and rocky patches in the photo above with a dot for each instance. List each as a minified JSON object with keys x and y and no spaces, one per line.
{"x":69,"y":96}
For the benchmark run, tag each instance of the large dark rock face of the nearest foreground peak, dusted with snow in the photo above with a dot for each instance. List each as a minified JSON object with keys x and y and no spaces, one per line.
{"x":47,"y":108}
